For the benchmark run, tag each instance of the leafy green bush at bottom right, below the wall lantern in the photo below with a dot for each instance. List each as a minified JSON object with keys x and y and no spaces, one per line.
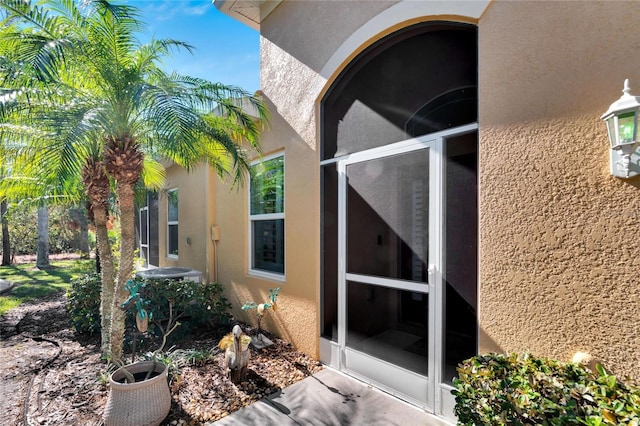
{"x":500,"y":389}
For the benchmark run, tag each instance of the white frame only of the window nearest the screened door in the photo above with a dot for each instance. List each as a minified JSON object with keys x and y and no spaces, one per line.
{"x":252,"y":218}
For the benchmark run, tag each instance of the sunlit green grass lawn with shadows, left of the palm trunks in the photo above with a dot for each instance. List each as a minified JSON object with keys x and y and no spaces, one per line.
{"x":34,"y":283}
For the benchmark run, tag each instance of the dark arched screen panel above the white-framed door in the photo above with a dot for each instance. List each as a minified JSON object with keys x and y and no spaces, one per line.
{"x":357,"y":118}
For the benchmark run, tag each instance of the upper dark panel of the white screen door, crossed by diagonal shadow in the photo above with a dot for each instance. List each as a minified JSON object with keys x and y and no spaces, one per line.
{"x":388,"y":217}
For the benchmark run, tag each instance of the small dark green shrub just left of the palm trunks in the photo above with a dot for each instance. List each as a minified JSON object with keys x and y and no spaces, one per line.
{"x":83,"y":303}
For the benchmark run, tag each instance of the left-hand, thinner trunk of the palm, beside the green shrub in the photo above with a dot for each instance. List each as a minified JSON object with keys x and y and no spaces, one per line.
{"x":107,"y":274}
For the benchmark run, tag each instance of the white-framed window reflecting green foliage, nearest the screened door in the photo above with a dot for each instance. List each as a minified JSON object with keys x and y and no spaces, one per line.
{"x":266,"y":217}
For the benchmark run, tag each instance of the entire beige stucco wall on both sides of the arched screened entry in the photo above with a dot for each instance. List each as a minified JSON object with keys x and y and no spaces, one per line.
{"x":558,"y":248}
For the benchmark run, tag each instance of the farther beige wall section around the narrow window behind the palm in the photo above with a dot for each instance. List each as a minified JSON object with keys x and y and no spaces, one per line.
{"x":194,"y":217}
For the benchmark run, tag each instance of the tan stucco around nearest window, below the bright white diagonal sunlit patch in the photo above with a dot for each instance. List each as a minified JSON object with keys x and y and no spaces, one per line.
{"x":296,"y":319}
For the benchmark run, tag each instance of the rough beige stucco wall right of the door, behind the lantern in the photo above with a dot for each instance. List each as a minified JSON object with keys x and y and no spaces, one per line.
{"x":559,"y":246}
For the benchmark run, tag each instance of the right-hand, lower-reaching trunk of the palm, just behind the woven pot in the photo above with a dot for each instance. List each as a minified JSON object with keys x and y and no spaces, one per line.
{"x":125,"y":195}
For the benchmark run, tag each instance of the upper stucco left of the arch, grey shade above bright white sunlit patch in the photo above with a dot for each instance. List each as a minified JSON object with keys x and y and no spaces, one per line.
{"x":292,"y":56}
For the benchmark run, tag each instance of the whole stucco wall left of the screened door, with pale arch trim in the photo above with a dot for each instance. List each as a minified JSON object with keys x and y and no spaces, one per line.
{"x":300,"y":47}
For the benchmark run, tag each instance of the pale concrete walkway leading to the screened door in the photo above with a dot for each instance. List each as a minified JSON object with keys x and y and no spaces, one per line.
{"x":329,"y":398}
